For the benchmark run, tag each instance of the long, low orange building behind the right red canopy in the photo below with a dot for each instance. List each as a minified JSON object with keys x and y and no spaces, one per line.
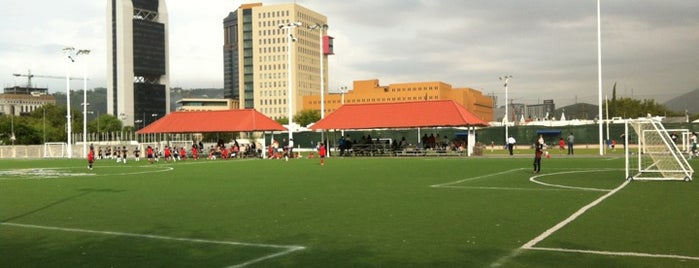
{"x":369,"y":91}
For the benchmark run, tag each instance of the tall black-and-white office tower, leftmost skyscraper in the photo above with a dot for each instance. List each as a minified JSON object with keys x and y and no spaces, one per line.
{"x":137,"y":59}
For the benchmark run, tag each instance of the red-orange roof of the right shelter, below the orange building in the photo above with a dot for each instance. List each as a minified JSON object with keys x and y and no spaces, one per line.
{"x":443,"y":113}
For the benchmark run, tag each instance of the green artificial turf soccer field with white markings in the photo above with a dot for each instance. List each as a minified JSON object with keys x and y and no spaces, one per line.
{"x":352,"y":212}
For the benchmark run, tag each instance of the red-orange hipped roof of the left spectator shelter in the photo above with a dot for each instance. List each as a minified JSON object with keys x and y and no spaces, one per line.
{"x":212,"y":121}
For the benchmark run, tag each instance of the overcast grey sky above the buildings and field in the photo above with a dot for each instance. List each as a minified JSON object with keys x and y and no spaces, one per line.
{"x":650,"y":48}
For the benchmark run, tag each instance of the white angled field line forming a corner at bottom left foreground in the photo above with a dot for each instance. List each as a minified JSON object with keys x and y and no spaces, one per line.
{"x":286,"y":249}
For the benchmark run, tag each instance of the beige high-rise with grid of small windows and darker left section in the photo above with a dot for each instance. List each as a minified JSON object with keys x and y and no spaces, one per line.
{"x":256,"y":55}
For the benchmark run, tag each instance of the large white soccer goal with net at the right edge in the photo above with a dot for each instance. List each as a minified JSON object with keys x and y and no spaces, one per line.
{"x":656,"y":156}
